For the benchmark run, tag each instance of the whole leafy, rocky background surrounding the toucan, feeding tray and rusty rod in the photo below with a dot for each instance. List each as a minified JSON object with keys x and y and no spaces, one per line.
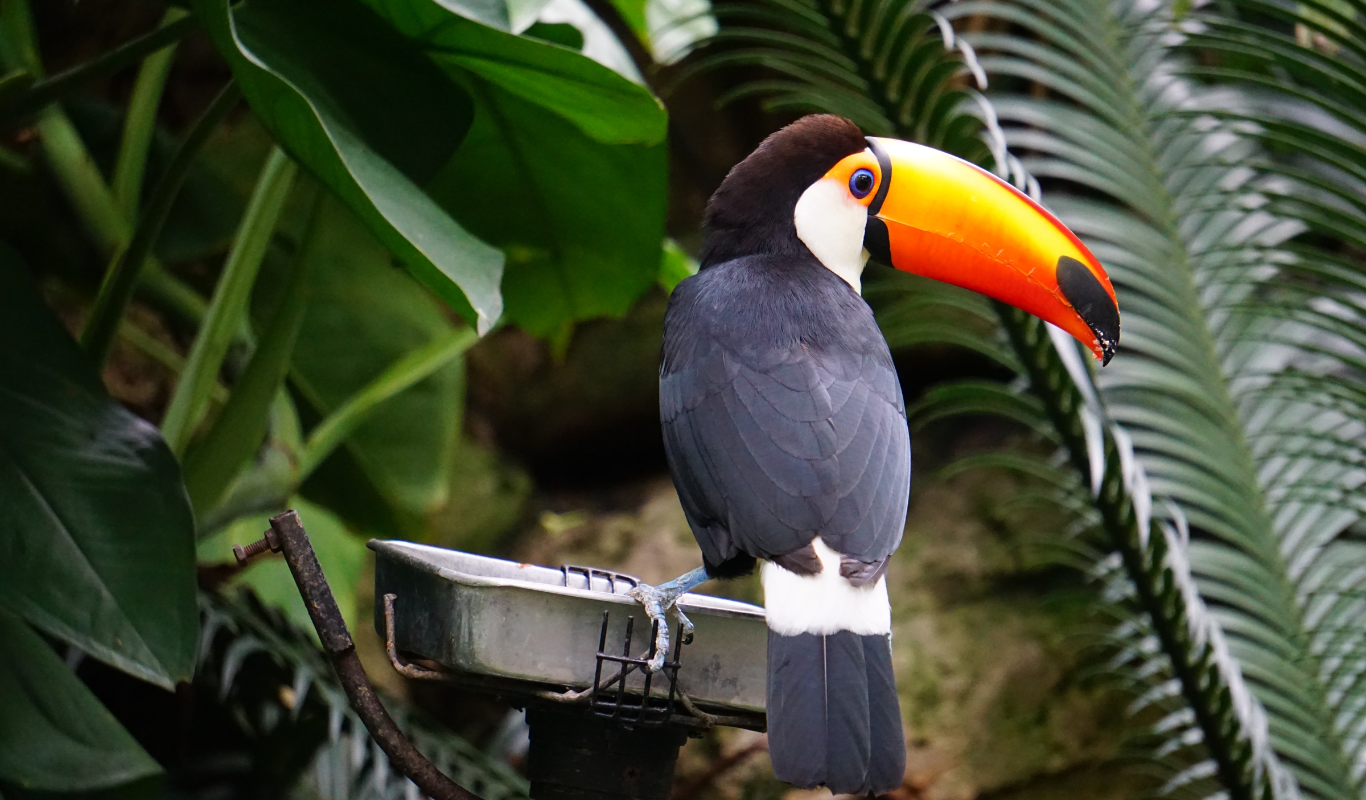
{"x":402,"y":266}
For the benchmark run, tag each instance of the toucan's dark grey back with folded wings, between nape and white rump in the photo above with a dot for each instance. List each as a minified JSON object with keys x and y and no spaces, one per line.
{"x":783,"y":416}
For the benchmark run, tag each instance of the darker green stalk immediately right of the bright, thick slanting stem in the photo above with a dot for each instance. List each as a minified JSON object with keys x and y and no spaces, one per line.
{"x":237,"y":435}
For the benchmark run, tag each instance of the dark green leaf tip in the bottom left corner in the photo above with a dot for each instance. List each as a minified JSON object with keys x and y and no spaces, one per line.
{"x":54,"y":734}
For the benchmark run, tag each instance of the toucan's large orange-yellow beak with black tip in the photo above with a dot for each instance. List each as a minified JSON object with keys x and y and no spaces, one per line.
{"x":942,"y":218}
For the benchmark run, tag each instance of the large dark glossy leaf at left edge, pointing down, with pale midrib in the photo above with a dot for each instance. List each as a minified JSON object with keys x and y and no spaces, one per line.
{"x":98,"y":537}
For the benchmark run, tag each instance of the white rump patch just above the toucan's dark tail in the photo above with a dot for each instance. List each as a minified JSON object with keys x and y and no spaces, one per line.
{"x":826,"y":603}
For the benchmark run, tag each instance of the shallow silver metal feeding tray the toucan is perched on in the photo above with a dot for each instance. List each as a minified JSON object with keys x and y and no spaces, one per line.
{"x":520,"y":630}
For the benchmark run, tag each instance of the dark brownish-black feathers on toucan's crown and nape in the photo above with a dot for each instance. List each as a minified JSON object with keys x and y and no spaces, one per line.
{"x":752,"y":212}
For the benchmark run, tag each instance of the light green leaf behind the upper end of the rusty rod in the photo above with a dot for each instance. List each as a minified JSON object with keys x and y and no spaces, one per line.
{"x":341,"y":554}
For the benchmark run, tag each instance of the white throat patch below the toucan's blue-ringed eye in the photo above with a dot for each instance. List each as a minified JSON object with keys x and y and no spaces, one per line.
{"x":831,"y":223}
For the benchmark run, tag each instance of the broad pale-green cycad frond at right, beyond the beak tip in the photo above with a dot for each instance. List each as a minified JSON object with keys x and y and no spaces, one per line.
{"x":1237,"y":349}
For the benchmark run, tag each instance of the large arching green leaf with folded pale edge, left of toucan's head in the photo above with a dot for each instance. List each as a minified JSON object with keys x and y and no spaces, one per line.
{"x":379,"y":100}
